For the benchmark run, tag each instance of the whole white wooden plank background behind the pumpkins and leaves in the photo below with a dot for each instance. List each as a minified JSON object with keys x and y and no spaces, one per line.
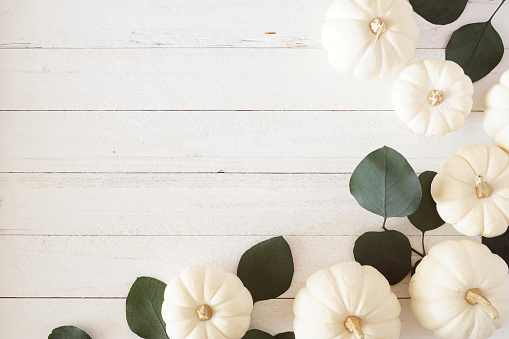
{"x":134,"y":134}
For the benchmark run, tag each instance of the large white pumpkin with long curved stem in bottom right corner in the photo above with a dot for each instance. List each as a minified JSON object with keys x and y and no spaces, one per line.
{"x":460,"y":290}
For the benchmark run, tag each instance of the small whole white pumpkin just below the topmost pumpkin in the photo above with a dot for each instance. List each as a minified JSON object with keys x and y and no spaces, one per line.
{"x":433,"y":97}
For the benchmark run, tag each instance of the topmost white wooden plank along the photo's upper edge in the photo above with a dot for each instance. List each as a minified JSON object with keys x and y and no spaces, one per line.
{"x":181,"y":23}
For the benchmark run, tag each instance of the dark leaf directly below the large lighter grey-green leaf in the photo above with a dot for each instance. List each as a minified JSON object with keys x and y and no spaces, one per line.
{"x":389,"y":252}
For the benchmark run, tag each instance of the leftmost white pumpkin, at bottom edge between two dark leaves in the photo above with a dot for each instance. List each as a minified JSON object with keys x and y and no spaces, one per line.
{"x":206,"y":303}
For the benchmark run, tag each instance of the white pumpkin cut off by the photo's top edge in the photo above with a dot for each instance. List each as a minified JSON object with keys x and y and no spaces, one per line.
{"x":370,"y":38}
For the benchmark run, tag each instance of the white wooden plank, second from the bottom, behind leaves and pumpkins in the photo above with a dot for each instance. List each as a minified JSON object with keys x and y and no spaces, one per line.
{"x":106,"y":266}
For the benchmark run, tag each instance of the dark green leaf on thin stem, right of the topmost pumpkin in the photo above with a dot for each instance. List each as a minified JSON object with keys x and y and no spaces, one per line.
{"x":477,"y":48}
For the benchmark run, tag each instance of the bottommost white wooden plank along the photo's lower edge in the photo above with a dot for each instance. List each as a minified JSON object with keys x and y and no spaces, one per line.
{"x":105,"y":318}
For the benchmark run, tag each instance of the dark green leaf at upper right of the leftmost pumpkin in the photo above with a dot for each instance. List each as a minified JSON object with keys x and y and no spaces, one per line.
{"x":266,"y":269}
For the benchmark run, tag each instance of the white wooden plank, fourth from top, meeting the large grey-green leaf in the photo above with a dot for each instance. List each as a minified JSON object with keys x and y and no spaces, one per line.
{"x":185,"y":204}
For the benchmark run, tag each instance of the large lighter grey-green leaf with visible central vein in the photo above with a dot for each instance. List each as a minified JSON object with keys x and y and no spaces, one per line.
{"x":384,"y":183}
